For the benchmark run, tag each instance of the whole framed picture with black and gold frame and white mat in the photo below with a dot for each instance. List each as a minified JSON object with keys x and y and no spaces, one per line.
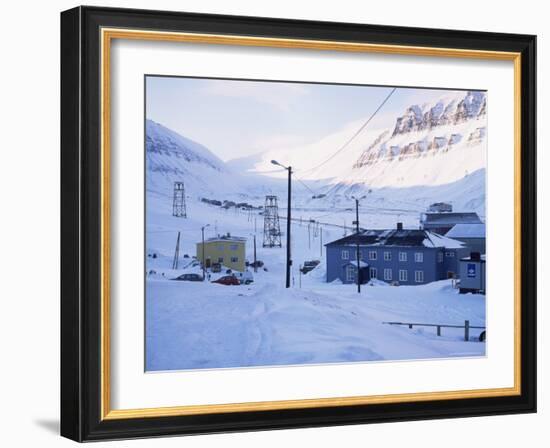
{"x":272,"y":223}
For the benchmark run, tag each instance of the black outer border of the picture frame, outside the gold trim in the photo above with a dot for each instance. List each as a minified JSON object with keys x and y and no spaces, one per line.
{"x":81,"y":223}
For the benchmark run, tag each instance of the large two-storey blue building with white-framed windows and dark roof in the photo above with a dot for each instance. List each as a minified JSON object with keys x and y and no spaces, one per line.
{"x":405,"y":256}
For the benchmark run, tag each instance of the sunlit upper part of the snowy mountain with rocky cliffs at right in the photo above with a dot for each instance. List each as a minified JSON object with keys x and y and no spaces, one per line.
{"x":428,"y":145}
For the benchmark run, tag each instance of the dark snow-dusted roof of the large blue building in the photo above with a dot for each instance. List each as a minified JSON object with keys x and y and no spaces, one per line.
{"x":397,"y":237}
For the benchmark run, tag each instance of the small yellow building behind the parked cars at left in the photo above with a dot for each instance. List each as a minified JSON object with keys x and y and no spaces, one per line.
{"x":229,"y":251}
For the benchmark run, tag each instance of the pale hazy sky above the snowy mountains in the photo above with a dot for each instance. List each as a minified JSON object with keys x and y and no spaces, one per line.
{"x":238,"y":118}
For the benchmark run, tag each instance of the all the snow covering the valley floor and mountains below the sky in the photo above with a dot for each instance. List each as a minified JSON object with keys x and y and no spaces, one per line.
{"x":202,"y":325}
